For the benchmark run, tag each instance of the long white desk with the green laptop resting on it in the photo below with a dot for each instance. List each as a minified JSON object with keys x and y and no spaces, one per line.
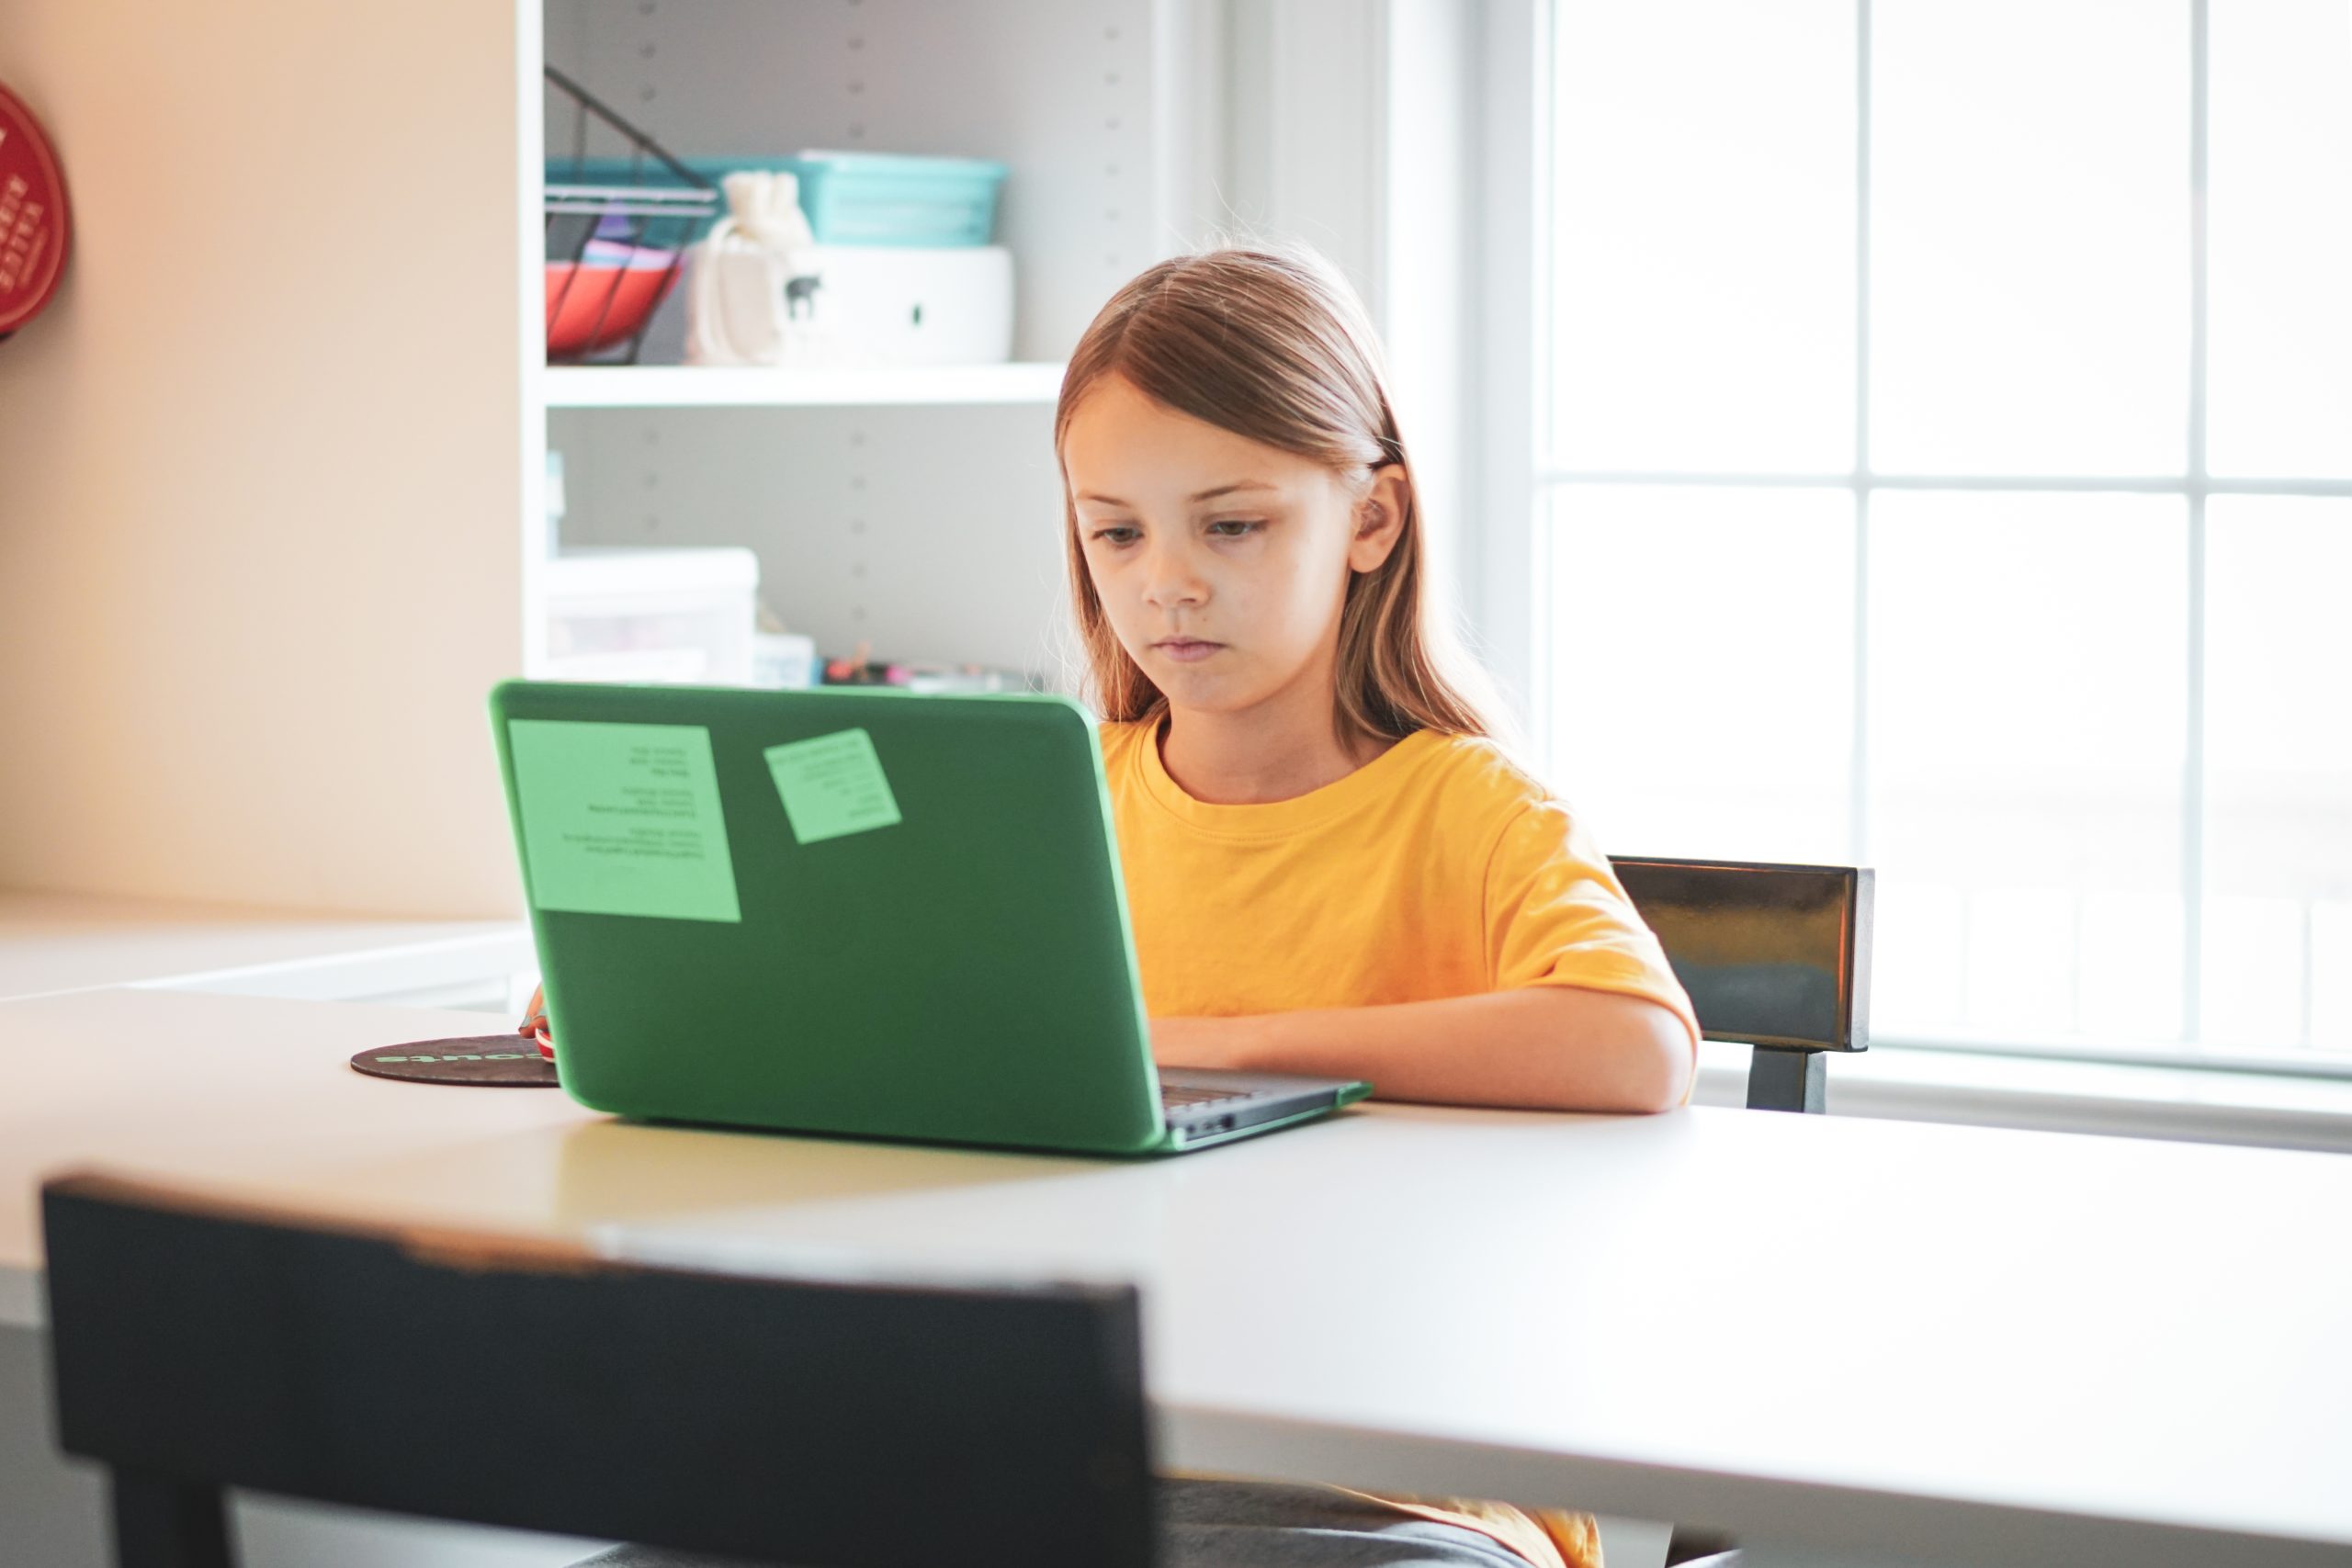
{"x":1857,"y":1341}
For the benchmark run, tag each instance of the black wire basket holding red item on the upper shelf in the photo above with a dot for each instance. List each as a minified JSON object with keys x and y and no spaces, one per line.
{"x":617,"y":232}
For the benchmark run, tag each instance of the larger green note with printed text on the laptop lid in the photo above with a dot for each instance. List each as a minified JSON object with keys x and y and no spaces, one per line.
{"x":622,"y":819}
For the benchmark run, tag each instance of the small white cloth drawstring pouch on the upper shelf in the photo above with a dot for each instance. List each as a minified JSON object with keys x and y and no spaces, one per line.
{"x":754,"y":290}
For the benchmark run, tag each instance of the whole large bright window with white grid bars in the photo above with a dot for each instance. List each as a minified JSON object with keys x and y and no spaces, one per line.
{"x":1937,"y":485}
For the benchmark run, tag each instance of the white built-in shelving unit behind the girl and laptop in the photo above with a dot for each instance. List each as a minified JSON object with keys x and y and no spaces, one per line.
{"x":914,"y":511}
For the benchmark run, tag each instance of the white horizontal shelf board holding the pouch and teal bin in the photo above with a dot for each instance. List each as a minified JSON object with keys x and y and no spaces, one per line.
{"x":726,"y":387}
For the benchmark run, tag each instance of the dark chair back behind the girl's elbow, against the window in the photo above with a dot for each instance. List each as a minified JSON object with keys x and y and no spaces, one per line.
{"x":1775,"y":958}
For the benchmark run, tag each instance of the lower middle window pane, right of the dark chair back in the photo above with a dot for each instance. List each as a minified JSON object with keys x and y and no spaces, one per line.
{"x":2029,"y":725}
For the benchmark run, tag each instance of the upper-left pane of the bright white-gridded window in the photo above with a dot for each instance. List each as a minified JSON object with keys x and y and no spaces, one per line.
{"x":1706,"y":210}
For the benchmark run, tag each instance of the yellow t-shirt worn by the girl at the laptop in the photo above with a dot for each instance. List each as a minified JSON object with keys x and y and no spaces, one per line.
{"x":1434,"y":871}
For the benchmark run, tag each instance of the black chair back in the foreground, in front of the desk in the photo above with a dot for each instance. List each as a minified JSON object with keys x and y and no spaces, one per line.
{"x":540,"y":1388}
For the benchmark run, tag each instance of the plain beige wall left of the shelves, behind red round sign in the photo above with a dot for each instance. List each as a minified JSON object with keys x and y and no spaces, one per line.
{"x":265,"y":460}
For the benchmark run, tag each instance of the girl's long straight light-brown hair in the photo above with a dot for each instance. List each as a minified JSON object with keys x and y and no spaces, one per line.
{"x":1274,"y":347}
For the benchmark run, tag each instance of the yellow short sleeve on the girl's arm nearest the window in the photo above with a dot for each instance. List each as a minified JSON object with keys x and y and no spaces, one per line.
{"x":1558,"y":916}
